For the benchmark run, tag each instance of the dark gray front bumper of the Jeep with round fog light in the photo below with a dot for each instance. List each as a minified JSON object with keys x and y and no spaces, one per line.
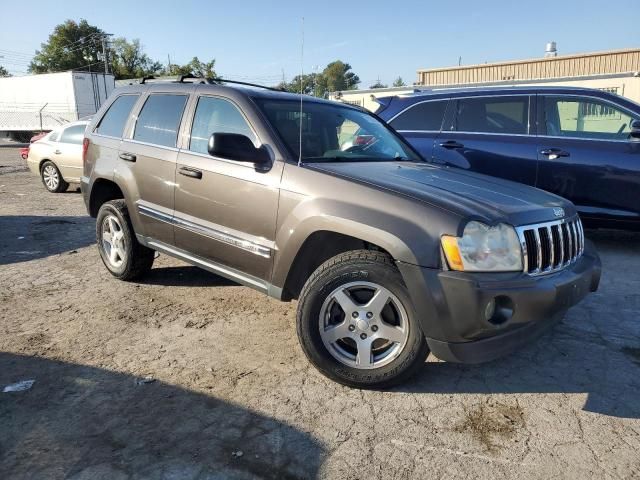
{"x":452,"y":306}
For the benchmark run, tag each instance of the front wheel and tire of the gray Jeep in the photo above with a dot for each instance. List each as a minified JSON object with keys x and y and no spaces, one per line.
{"x":356,"y":322}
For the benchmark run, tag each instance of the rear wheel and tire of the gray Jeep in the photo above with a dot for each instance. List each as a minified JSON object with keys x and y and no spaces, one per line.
{"x":121,"y":253}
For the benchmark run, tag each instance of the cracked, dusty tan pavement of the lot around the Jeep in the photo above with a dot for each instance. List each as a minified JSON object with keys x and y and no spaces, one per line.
{"x":187,"y":375}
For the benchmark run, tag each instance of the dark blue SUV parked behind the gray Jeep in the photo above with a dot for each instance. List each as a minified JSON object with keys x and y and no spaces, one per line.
{"x":579,"y":143}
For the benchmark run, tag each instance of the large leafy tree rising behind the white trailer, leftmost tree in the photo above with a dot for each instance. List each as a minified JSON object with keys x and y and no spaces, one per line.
{"x":71,"y":46}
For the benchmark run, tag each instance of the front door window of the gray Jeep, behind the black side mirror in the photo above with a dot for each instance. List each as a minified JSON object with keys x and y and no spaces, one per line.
{"x":215,"y":115}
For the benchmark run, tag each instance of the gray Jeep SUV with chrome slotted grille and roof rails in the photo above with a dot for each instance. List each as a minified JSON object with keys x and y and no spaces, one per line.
{"x":389,"y":256}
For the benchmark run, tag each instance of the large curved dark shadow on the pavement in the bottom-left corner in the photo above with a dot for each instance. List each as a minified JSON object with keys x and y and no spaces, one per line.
{"x":83,"y":422}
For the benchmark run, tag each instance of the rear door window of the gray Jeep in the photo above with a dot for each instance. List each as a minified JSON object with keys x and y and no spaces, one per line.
{"x":159,"y":120}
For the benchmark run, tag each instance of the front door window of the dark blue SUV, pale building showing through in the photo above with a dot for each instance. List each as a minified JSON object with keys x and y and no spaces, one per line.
{"x":586,"y":118}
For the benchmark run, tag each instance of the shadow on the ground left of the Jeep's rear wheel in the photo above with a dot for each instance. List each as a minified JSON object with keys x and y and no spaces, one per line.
{"x":29,"y":237}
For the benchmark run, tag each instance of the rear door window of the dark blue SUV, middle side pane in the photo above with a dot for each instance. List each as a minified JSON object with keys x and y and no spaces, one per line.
{"x":508,"y":115}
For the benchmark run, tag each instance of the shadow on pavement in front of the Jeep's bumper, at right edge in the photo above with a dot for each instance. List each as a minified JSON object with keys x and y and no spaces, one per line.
{"x":594,"y":351}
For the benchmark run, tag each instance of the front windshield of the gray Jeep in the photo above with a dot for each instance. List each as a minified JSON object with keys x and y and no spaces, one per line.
{"x":334,"y":133}
